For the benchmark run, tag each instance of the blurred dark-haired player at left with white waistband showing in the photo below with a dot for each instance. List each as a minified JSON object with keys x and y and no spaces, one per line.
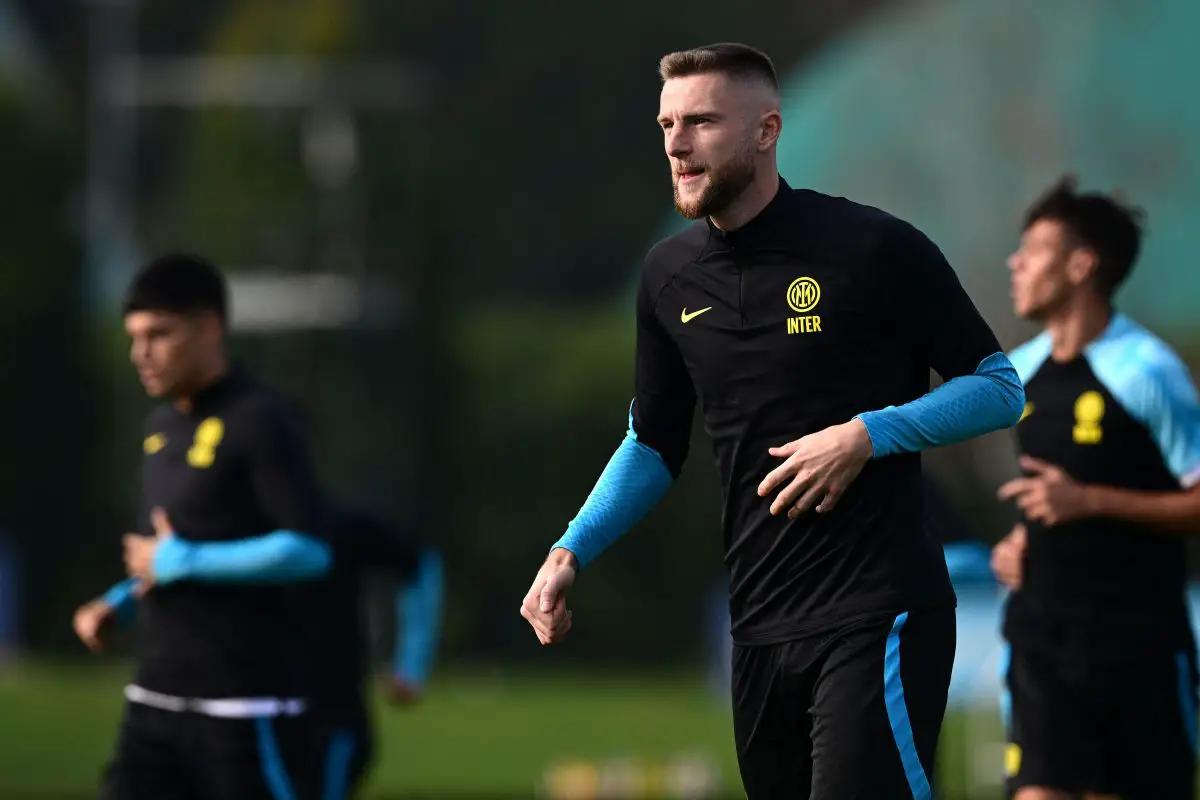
{"x":217,"y":707}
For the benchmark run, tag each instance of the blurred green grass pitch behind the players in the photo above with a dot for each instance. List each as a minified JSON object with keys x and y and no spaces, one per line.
{"x":475,"y":737}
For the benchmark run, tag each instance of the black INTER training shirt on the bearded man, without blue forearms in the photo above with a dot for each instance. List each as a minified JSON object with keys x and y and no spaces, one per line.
{"x":815,"y":311}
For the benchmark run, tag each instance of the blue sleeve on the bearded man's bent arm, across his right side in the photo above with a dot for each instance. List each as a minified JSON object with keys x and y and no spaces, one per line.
{"x":959,"y":410}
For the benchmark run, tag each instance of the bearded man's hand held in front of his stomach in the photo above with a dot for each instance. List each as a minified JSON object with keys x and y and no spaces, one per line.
{"x":819,"y":468}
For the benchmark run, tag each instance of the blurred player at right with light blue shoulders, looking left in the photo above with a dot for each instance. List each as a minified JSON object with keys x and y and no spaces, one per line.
{"x":1102,"y":673}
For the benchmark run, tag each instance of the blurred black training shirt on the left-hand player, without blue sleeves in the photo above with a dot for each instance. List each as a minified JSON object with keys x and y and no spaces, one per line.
{"x":237,"y":466}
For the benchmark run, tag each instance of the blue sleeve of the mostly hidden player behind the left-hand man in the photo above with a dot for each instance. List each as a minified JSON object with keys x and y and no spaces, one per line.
{"x":418,"y":621}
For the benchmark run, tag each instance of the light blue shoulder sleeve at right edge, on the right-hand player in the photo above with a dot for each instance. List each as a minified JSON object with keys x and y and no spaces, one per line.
{"x":1154,"y":386}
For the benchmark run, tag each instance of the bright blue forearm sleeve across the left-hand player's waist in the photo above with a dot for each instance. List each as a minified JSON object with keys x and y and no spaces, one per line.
{"x":278,"y":557}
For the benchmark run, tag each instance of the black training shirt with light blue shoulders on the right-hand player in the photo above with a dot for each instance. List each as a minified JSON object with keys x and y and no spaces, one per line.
{"x":1124,"y":413}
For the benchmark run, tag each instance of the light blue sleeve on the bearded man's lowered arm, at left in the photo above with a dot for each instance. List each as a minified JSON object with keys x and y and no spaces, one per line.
{"x":634,"y":482}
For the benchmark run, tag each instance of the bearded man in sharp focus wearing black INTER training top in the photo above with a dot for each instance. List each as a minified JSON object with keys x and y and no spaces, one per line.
{"x":806,"y":326}
